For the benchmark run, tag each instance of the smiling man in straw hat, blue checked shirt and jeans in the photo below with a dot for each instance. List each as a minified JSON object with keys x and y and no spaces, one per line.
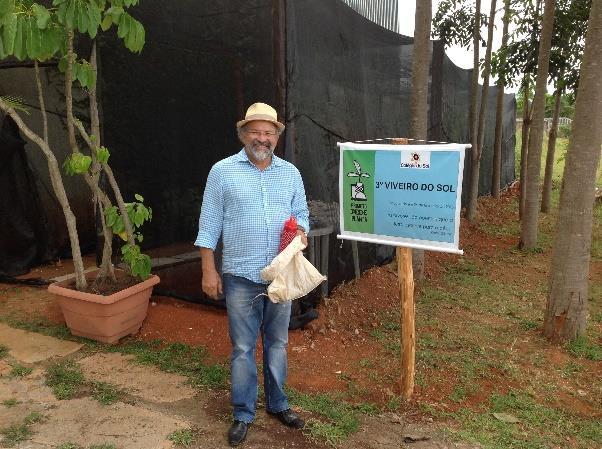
{"x":247,"y":199}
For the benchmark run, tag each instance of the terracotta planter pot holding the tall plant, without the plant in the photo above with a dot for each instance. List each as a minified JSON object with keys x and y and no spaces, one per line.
{"x":104,"y":318}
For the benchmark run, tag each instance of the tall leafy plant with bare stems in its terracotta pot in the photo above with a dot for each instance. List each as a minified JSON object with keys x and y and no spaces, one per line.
{"x":95,"y":307}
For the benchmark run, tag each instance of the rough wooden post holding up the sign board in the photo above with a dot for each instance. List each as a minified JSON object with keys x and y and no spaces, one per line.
{"x":405,"y":274}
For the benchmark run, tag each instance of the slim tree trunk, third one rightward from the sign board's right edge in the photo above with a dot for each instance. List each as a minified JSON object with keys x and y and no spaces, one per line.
{"x":496,"y":174}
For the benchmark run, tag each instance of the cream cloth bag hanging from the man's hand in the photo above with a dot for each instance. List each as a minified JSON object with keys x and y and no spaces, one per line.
{"x":291,"y":274}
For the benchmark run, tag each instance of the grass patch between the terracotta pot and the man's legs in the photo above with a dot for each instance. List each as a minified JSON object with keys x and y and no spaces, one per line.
{"x":189,"y":361}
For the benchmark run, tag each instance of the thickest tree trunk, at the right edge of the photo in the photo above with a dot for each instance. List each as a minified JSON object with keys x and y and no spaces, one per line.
{"x":566,"y":311}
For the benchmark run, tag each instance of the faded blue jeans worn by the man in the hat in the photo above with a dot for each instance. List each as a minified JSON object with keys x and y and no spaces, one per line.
{"x":249,"y":311}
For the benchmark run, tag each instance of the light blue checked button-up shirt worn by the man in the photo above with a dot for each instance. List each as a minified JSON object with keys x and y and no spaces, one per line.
{"x":248,"y":208}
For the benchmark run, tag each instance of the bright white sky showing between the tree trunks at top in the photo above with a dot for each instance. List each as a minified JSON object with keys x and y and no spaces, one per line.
{"x":460,"y":56}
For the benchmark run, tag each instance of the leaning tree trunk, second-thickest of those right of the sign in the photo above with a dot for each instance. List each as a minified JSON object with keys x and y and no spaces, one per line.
{"x":530,"y":221}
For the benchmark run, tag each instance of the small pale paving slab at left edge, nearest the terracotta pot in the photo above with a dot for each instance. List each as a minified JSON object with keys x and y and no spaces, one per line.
{"x":30,"y":347}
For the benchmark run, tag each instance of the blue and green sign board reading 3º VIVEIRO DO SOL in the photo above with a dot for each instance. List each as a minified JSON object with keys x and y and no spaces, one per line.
{"x":402,"y":195}
